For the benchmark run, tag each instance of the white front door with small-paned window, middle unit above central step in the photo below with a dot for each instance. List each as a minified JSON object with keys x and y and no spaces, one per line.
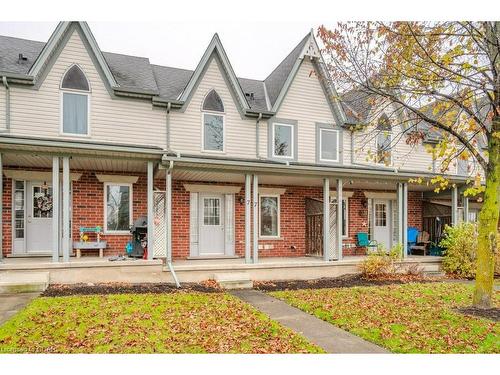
{"x":211,"y":214}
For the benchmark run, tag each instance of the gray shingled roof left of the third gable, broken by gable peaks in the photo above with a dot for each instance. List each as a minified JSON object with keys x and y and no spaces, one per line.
{"x":138,"y":74}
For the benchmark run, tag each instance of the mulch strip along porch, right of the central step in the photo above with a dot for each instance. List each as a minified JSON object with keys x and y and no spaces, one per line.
{"x":346,"y":281}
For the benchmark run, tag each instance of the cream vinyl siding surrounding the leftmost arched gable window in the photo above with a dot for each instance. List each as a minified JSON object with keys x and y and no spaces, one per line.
{"x":37,"y":112}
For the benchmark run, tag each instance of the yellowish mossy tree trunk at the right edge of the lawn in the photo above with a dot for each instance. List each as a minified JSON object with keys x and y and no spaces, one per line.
{"x":488,"y":225}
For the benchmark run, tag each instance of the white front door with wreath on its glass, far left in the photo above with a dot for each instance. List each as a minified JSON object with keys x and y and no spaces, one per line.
{"x":38,"y":217}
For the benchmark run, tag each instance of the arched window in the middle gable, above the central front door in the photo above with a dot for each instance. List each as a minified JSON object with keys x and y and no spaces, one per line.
{"x":213,"y":123}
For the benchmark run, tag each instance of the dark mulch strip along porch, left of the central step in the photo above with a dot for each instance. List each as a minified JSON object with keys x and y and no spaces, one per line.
{"x":59,"y":290}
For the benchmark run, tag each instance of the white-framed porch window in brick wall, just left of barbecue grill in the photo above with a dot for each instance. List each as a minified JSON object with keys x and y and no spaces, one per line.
{"x":117,"y":208}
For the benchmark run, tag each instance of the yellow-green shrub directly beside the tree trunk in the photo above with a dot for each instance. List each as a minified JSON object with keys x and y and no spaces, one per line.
{"x":460,"y":245}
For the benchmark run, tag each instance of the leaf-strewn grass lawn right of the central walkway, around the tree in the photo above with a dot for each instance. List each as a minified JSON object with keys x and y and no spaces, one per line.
{"x":410,"y":318}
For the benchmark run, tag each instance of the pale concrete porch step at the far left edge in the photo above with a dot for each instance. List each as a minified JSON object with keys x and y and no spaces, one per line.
{"x":23,"y":282}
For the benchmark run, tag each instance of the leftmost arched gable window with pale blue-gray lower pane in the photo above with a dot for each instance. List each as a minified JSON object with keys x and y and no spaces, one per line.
{"x":75,"y":98}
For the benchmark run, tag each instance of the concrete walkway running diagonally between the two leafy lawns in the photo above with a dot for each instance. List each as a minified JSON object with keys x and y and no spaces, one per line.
{"x":319,"y":332}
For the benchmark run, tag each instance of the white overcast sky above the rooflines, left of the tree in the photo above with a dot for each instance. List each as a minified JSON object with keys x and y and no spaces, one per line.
{"x":254,"y":48}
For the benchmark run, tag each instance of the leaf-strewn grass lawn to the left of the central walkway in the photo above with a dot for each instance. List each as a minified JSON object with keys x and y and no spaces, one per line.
{"x":146,"y":323}
